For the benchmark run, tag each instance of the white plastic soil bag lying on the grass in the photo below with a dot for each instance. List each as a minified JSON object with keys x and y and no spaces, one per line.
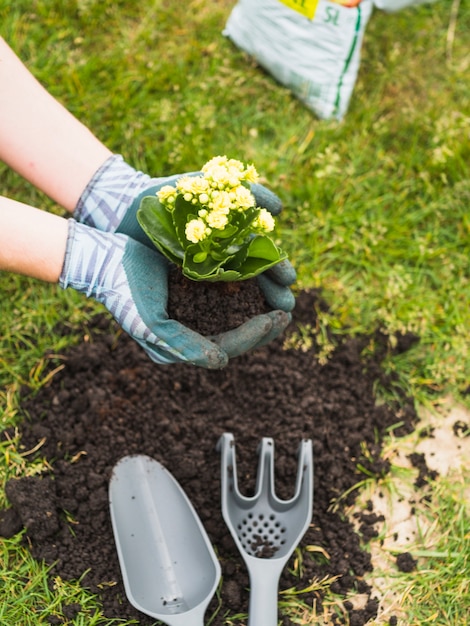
{"x":310,"y":46}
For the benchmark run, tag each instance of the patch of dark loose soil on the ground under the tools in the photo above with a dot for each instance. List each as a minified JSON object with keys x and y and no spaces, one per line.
{"x":110,"y":400}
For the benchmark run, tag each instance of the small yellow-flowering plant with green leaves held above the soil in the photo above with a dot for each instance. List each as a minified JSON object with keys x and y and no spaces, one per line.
{"x":209,"y":223}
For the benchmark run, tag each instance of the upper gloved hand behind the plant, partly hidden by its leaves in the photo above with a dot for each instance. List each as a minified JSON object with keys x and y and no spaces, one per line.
{"x":112,"y":198}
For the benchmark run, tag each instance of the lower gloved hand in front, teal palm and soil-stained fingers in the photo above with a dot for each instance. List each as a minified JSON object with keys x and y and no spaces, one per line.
{"x":131,"y":279}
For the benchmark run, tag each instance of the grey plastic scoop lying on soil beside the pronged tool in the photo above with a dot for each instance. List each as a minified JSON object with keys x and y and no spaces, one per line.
{"x":168,"y":565}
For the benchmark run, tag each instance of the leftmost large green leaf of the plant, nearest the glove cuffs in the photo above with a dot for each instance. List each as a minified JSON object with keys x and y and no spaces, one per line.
{"x":157,"y":223}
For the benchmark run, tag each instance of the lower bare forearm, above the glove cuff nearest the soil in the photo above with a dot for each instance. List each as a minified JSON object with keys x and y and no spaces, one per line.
{"x":32,"y":242}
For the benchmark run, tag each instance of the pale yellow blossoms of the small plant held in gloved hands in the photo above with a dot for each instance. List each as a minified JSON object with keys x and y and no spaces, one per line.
{"x":218,"y":191}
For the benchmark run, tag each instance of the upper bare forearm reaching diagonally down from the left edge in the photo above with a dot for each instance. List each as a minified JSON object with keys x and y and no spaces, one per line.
{"x":40,"y":139}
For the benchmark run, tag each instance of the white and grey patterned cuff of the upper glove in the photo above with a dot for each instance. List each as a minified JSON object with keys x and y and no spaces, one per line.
{"x":109,"y":194}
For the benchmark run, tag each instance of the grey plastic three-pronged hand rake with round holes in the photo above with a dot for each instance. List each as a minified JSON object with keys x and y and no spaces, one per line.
{"x":265,"y":529}
